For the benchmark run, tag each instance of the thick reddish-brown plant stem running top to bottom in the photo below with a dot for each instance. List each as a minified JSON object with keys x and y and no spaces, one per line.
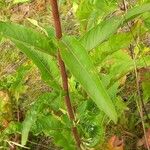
{"x":58,"y":31}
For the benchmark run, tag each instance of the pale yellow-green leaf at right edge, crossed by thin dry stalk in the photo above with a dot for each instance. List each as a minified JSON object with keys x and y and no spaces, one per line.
{"x":119,"y":59}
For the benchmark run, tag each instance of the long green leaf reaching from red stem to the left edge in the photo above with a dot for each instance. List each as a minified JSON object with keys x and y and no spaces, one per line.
{"x":28,"y":37}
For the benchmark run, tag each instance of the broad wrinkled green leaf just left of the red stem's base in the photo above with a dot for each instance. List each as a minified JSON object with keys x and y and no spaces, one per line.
{"x":51,"y":126}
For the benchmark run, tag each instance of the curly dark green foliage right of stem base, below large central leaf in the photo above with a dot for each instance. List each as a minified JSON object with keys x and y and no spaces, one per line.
{"x":92,"y":123}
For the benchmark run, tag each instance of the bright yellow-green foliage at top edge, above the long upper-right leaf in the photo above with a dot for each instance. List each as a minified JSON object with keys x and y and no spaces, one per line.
{"x":90,"y":12}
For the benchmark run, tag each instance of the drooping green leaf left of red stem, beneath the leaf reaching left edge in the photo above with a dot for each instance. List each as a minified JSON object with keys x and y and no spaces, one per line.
{"x":46,"y":64}
